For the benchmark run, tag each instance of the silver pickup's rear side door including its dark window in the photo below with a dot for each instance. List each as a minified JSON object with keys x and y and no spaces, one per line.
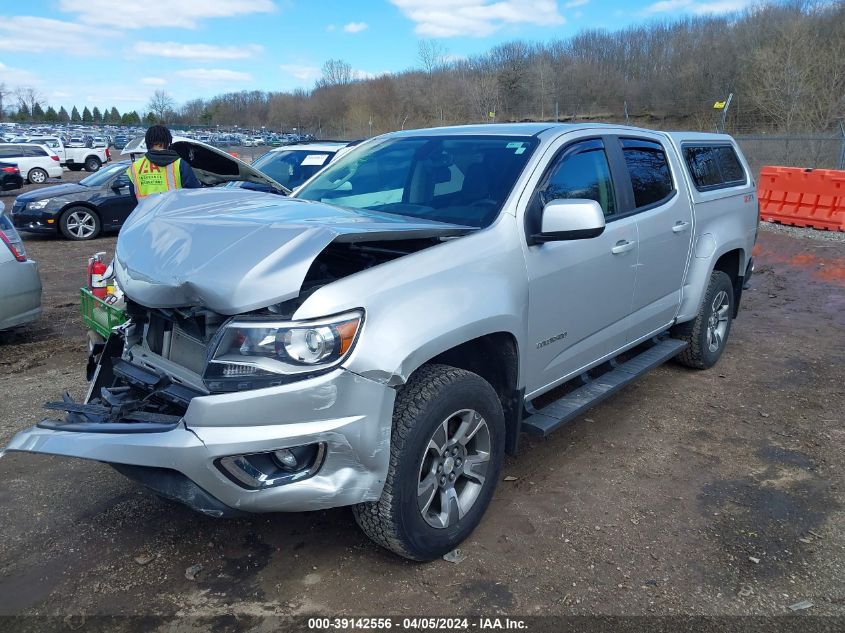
{"x":660,"y":203}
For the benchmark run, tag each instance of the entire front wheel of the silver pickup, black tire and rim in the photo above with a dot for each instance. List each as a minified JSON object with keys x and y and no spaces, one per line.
{"x":446,"y":454}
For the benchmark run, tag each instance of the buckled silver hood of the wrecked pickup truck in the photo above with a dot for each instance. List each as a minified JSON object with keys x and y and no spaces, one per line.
{"x":234,"y":251}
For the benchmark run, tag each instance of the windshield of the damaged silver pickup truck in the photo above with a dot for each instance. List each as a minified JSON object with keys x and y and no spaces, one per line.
{"x":457,"y":179}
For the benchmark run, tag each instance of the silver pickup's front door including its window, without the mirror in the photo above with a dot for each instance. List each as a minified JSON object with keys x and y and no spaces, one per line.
{"x":580,"y":291}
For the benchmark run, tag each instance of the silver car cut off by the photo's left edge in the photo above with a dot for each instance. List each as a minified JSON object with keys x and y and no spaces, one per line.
{"x":20,"y":283}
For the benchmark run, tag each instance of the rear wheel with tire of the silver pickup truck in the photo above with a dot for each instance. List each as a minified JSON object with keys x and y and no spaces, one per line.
{"x":708,"y":333}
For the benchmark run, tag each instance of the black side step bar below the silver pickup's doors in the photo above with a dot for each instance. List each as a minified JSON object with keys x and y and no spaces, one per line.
{"x":543,"y":421}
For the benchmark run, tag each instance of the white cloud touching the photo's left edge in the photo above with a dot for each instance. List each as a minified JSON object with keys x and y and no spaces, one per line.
{"x":30,"y":34}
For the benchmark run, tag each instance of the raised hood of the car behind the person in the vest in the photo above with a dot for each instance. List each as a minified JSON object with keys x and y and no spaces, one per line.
{"x":212,"y":165}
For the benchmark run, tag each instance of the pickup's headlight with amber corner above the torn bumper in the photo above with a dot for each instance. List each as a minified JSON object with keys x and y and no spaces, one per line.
{"x":249,"y":354}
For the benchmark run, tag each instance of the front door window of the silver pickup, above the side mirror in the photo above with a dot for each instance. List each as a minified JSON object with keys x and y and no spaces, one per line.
{"x":582,"y":173}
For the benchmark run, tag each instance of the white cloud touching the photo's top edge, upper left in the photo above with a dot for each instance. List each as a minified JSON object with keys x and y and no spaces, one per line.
{"x":160,"y":13}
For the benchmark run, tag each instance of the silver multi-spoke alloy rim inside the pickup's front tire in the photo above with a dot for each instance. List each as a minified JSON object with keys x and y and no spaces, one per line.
{"x":453,"y":468}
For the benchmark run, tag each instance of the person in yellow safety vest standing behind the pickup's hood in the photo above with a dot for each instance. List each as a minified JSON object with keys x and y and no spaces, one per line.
{"x":160,"y":169}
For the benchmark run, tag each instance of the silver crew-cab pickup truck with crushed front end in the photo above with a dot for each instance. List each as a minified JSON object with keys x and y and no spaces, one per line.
{"x":381,"y":338}
